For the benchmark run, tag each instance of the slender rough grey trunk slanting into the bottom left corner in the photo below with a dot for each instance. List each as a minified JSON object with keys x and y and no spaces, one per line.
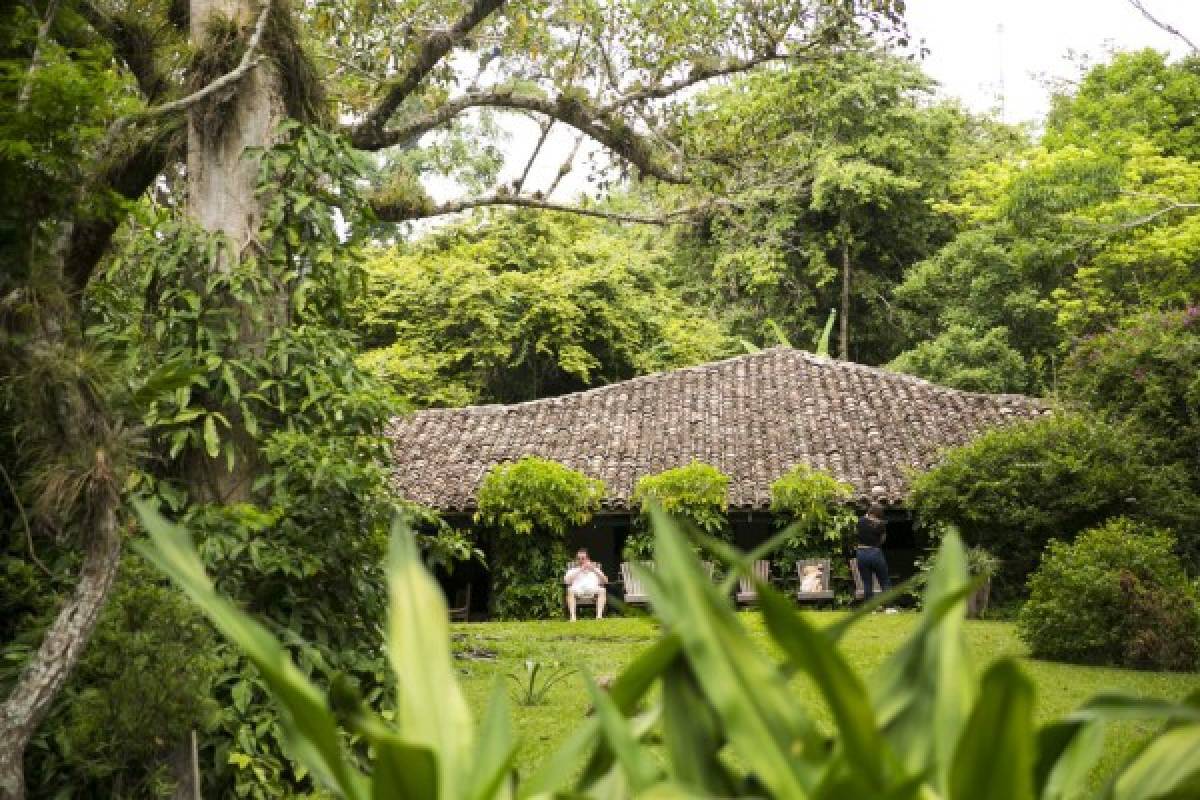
{"x":47,"y":671}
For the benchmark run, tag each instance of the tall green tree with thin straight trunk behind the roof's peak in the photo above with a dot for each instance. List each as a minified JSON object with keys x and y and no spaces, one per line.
{"x":844,"y":163}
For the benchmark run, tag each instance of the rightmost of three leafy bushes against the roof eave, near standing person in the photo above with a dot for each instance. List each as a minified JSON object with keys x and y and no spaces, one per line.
{"x":815,"y":506}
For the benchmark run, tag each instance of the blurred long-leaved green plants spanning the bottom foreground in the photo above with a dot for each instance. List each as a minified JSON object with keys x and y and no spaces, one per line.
{"x":925,"y":729}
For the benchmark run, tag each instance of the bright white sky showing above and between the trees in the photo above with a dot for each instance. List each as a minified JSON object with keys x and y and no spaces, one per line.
{"x":995,"y":56}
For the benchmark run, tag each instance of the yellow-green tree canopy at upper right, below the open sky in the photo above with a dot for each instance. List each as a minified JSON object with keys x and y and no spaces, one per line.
{"x":1096,"y":224}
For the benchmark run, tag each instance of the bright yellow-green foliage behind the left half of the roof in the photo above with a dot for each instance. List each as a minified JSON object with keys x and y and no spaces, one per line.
{"x":524,"y":308}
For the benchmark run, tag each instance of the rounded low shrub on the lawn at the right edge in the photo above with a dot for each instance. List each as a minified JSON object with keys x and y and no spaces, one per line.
{"x":1118,"y":596}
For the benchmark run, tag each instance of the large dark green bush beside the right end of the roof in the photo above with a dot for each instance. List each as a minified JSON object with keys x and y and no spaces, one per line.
{"x":1016,"y":489}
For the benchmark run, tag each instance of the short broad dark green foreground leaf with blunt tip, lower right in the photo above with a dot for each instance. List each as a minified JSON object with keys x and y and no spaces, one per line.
{"x":994,"y":759}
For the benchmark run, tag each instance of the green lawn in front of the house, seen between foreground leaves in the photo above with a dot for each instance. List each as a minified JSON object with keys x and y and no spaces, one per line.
{"x":604,"y":647}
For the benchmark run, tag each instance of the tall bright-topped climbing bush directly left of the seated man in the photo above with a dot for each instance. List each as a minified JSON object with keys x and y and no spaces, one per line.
{"x":530,"y":507}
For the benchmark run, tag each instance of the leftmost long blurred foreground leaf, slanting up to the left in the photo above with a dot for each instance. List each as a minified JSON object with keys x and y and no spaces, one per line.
{"x":308,"y":724}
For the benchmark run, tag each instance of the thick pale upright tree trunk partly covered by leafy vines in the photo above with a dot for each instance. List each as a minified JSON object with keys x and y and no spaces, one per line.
{"x":221,"y":199}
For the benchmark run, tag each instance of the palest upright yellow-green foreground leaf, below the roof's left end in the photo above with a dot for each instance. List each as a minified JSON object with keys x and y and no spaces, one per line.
{"x":431,"y":709}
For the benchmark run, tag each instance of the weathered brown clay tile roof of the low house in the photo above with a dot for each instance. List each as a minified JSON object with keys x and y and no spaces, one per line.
{"x":754,"y":418}
